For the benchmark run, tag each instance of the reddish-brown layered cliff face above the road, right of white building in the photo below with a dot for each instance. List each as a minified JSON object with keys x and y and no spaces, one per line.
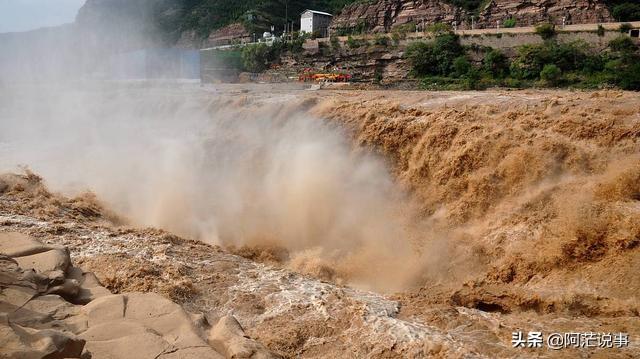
{"x":384,"y":15}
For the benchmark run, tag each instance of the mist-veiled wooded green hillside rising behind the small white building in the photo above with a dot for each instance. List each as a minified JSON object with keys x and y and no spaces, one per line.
{"x":189,"y":22}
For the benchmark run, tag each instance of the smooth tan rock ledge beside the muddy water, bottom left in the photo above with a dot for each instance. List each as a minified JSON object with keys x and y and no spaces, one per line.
{"x":51,"y":309}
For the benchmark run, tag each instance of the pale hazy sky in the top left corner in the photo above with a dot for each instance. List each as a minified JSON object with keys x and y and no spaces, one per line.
{"x":23,"y":15}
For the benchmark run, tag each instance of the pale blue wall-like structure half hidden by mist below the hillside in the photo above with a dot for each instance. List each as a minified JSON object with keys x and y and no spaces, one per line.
{"x":155,"y":64}
